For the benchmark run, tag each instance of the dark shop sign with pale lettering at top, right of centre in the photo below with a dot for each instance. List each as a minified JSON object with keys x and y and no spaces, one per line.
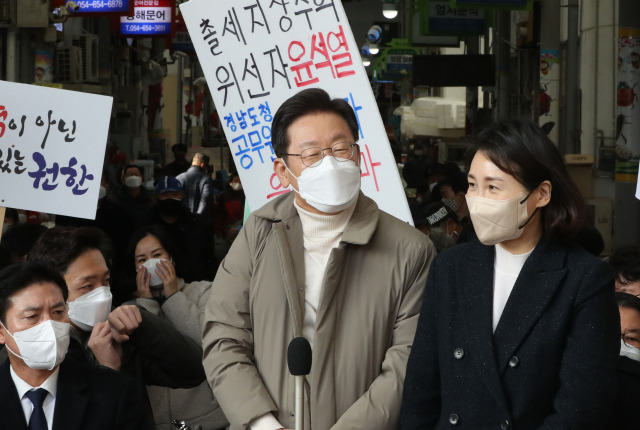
{"x":446,"y":19}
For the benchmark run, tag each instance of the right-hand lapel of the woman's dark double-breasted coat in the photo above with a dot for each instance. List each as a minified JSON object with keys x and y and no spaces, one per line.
{"x":540,"y":277}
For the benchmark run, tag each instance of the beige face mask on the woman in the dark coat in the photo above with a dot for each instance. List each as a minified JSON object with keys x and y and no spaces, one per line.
{"x":496,"y":221}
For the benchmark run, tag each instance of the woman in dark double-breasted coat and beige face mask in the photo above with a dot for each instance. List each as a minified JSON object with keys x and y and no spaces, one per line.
{"x":521,"y":330}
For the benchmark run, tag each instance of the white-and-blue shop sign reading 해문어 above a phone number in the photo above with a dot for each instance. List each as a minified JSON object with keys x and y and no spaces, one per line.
{"x":150,"y":18}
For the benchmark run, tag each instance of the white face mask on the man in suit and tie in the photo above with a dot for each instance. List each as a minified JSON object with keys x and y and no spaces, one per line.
{"x":43,"y":346}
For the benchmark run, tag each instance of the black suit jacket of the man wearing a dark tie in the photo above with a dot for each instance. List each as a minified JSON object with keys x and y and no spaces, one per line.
{"x":93,"y":398}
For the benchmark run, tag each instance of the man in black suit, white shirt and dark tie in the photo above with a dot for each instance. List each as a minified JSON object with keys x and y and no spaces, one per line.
{"x":40,"y":391}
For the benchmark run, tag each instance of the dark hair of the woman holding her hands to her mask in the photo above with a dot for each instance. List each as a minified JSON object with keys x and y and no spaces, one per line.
{"x":127,"y":285}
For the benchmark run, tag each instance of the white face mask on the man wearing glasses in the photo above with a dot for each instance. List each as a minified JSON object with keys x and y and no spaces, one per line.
{"x":331,"y":186}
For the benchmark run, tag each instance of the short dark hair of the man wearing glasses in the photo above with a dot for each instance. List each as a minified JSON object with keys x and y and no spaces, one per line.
{"x":306,"y":102}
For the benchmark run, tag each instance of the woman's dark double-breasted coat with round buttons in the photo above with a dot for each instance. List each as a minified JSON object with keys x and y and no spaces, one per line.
{"x":551,"y":362}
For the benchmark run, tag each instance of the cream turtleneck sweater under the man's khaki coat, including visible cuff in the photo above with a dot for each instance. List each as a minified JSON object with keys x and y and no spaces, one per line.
{"x":321,"y":233}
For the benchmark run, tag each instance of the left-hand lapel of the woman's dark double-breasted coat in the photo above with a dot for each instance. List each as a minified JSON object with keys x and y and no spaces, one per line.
{"x":475,"y":290}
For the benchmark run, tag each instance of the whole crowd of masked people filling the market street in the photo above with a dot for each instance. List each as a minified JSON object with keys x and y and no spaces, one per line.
{"x":492,"y":313}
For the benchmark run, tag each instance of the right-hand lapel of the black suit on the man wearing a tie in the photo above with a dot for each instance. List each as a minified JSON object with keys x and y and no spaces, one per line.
{"x":71,"y":400}
